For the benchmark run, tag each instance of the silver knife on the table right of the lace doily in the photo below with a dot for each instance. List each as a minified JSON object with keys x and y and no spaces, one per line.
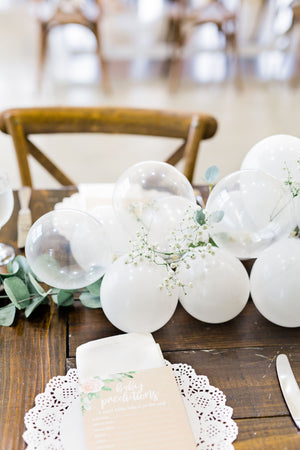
{"x":289,"y":387}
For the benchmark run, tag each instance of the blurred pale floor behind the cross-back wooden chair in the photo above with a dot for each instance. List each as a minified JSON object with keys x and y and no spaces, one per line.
{"x":245,"y":116}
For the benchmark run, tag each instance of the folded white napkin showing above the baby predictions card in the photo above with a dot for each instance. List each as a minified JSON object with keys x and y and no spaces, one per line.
{"x":122,"y":353}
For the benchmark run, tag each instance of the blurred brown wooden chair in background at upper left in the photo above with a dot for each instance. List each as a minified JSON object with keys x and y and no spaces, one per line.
{"x":66,"y":15}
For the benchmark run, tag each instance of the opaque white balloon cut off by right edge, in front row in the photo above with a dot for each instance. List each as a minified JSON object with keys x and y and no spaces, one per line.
{"x":275,"y":283}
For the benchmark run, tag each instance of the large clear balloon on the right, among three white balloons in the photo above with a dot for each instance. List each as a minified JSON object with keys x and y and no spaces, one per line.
{"x":257,"y":212}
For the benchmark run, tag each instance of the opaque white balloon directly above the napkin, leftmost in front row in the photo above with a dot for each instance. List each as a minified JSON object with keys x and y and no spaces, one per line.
{"x":132,"y":299}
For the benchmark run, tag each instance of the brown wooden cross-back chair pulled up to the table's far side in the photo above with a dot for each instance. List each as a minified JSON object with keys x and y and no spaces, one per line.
{"x":24,"y":122}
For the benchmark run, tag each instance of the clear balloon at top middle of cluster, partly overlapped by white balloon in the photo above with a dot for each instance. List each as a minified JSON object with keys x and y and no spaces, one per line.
{"x":140,"y":185}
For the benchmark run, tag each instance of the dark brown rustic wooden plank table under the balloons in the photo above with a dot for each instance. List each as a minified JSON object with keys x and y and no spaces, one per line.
{"x":238,"y":357}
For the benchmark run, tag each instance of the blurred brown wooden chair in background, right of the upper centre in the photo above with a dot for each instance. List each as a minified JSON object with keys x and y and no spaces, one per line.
{"x":184,"y":20}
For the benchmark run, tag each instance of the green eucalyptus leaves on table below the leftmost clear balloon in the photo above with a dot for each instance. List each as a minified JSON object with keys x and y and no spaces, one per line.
{"x":24,"y":292}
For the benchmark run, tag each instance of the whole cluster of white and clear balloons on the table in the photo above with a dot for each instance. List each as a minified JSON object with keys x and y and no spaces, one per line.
{"x":155,"y":245}
